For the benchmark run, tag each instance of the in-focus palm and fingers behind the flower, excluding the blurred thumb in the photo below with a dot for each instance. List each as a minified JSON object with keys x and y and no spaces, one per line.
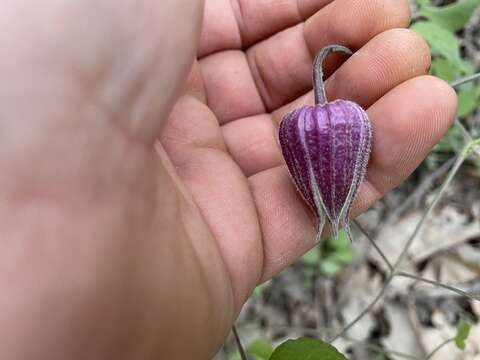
{"x":254,"y":66}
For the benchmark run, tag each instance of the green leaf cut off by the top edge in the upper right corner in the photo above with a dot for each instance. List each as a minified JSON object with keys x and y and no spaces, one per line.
{"x":451,"y":17}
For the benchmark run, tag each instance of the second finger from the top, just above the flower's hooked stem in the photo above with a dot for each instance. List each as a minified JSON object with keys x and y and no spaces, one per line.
{"x":278,"y":69}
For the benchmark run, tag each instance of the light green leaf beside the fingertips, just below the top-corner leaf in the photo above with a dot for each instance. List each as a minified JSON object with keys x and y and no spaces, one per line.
{"x":443,"y":43}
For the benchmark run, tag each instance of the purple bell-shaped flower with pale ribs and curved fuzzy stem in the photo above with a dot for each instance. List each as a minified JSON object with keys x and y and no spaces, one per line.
{"x":327,"y":148}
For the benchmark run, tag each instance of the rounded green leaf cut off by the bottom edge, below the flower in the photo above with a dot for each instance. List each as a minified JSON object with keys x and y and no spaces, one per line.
{"x":306,"y":349}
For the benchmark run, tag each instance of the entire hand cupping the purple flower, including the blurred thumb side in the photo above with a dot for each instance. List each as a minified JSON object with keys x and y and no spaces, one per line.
{"x":142,"y":197}
